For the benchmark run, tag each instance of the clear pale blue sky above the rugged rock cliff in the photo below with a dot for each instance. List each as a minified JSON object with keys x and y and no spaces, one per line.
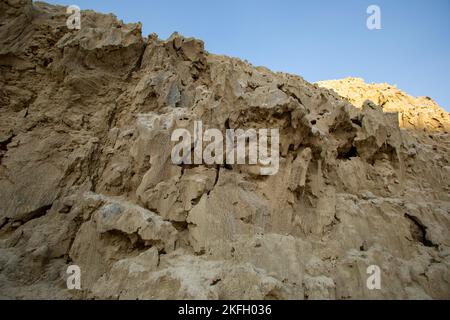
{"x":318,"y":40}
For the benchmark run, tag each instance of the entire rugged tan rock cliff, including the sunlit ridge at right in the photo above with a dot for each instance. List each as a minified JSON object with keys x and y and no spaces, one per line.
{"x":86,"y":176}
